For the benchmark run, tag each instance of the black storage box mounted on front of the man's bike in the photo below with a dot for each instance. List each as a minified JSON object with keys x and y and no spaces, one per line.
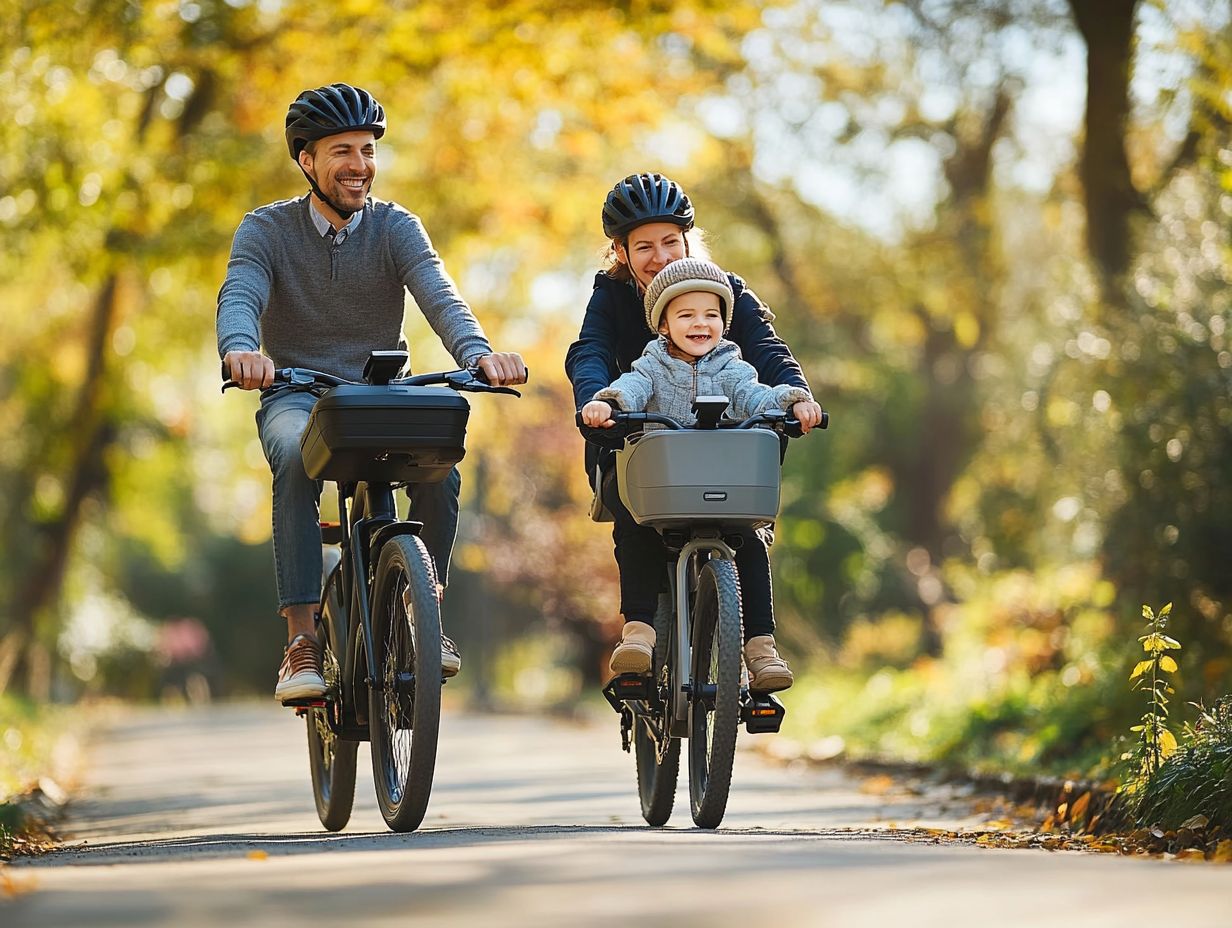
{"x":387,"y":434}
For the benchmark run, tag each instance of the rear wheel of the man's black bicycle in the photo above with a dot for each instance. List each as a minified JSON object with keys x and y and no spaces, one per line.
{"x":331,"y":760}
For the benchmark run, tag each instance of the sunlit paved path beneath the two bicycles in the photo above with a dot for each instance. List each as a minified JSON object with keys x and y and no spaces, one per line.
{"x":206,"y":819}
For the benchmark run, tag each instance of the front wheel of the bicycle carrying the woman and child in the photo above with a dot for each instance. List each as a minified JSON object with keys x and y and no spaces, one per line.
{"x":715,"y":694}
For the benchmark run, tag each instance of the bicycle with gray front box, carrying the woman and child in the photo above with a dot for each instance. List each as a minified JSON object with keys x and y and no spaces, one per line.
{"x":697,"y":486}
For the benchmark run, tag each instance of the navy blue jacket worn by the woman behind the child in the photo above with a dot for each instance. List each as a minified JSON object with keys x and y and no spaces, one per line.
{"x":614,"y":335}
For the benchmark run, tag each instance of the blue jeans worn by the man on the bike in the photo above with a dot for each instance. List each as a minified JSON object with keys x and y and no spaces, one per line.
{"x":298,"y":553}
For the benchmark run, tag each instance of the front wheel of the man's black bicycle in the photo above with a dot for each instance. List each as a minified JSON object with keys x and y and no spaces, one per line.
{"x":405,"y":702}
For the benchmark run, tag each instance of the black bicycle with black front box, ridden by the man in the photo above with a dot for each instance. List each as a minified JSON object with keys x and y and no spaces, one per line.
{"x":380,"y":624}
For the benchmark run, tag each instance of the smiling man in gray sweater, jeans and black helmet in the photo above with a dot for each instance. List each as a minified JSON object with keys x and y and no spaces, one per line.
{"x":320,"y":283}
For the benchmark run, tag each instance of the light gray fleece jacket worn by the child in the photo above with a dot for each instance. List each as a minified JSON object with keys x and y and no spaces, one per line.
{"x":662,"y":384}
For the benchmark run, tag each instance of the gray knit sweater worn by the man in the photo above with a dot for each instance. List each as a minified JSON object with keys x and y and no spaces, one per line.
{"x":321,"y":306}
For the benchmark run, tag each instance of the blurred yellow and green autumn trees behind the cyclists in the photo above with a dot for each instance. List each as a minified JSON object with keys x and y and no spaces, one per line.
{"x":994,"y":232}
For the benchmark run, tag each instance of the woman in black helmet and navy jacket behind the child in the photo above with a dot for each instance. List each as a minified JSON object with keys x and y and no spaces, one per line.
{"x":650,"y":224}
